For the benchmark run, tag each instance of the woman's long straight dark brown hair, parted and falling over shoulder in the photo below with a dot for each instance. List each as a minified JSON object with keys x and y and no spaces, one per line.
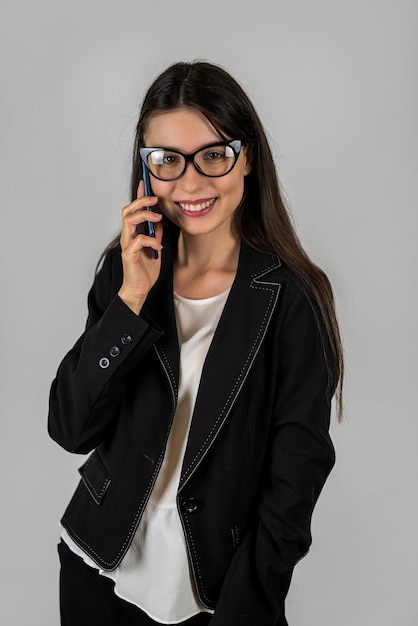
{"x":262,"y":219}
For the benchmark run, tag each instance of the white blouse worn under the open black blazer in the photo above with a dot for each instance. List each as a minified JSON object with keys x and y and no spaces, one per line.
{"x":155,"y":574}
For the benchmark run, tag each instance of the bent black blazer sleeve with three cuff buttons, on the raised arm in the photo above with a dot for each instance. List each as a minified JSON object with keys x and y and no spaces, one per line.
{"x":87,"y":390}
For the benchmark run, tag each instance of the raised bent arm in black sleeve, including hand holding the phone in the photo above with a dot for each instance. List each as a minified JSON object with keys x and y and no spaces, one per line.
{"x":88,"y":388}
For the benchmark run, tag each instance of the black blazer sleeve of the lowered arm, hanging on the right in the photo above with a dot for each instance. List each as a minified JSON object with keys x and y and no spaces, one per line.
{"x":300,"y":458}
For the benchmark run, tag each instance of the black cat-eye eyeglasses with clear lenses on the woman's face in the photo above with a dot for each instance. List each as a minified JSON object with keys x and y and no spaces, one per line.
{"x":214,"y":160}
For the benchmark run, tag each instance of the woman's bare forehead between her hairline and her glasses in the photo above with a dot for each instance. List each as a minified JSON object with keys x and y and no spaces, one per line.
{"x":185,"y":128}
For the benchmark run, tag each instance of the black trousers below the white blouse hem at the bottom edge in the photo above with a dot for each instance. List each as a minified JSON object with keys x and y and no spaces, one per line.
{"x":88,"y":599}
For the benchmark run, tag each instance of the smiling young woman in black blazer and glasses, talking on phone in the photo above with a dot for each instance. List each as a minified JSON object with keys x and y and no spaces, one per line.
{"x":202,"y":384}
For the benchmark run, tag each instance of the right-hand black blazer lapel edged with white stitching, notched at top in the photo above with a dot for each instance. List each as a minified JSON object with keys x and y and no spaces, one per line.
{"x":240,"y":332}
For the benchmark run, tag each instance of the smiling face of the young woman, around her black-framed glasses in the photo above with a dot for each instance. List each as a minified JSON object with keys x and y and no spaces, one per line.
{"x":196,"y":203}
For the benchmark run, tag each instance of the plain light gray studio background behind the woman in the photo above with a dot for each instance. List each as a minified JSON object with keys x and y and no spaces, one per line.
{"x":335,"y":83}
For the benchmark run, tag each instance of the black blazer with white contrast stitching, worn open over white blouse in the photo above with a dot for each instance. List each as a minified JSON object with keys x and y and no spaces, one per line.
{"x":258,"y":451}
